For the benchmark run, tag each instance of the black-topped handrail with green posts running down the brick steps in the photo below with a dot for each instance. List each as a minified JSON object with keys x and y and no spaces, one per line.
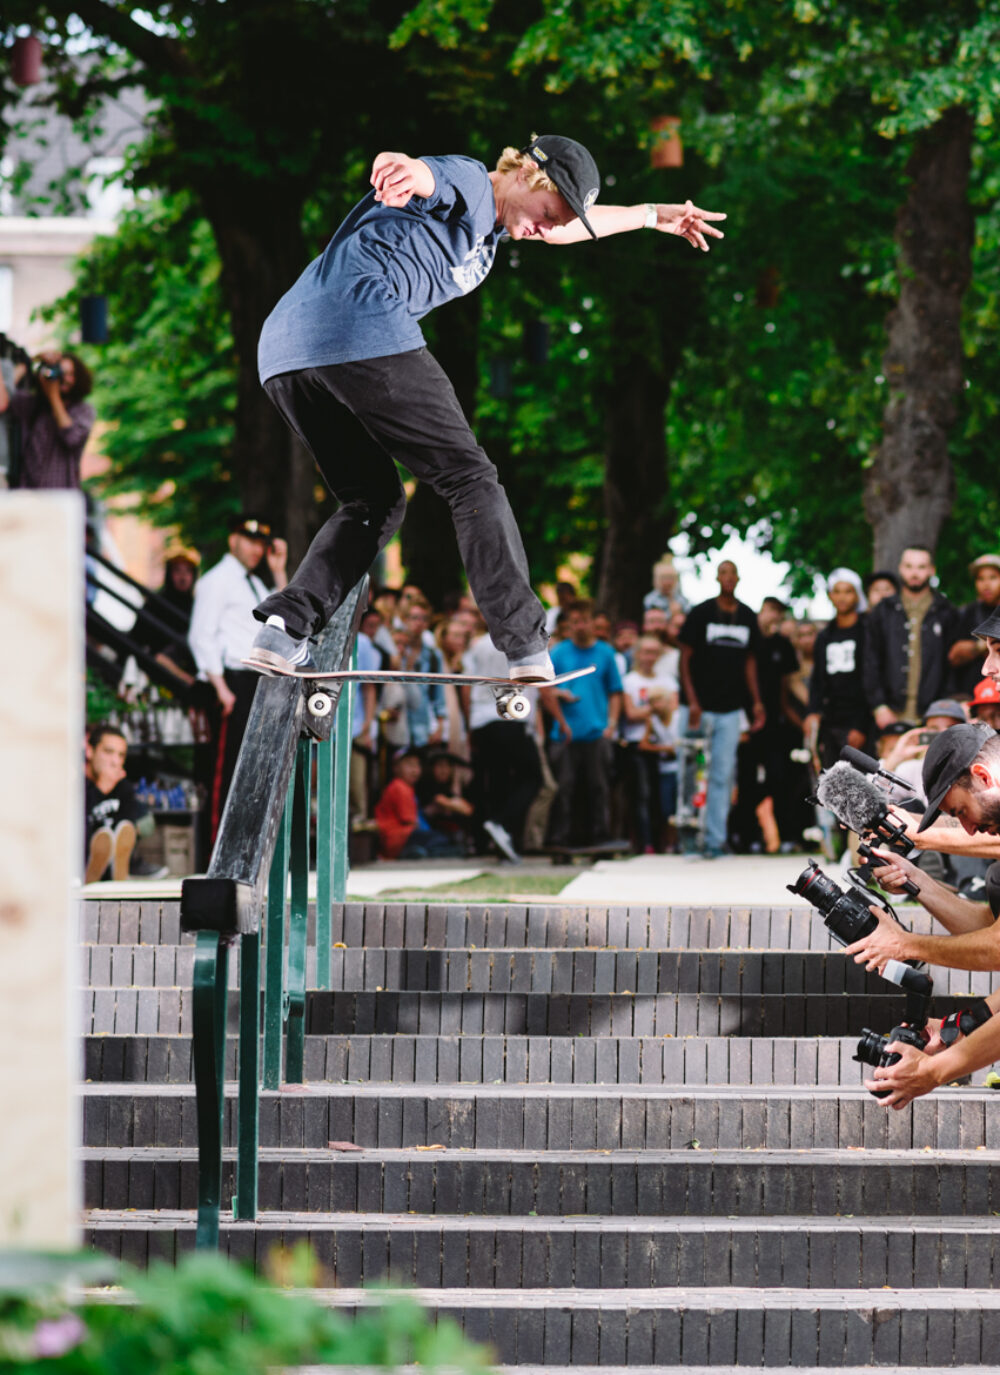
{"x":263,"y":835}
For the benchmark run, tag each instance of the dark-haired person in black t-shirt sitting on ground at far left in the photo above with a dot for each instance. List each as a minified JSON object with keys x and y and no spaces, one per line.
{"x":112,"y":812}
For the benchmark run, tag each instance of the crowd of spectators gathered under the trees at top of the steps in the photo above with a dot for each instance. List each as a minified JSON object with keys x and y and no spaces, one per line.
{"x":699,"y":731}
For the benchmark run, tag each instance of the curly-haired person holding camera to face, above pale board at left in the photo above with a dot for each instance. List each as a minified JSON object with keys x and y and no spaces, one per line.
{"x":56,"y":420}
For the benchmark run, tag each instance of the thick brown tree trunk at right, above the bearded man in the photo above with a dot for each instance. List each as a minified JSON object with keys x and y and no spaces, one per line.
{"x":910,"y":489}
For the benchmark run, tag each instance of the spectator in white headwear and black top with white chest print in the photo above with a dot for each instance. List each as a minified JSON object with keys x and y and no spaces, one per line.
{"x":838,"y":707}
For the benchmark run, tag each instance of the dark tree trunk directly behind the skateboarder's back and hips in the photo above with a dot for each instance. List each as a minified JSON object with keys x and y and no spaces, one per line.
{"x":262,"y":255}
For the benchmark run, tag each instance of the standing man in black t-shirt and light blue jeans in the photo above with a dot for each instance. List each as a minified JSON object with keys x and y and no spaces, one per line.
{"x":719,"y":673}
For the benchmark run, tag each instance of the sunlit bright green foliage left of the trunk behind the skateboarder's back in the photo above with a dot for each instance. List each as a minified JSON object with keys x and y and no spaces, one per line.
{"x":166,"y":384}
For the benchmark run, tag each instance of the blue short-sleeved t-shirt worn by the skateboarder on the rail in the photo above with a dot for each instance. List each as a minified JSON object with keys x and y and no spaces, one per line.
{"x":383,"y":272}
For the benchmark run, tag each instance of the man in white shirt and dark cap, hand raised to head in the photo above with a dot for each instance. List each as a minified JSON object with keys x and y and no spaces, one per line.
{"x":222,"y":633}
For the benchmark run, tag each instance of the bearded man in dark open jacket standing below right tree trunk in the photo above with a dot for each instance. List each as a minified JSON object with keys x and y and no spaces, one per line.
{"x":909,"y":637}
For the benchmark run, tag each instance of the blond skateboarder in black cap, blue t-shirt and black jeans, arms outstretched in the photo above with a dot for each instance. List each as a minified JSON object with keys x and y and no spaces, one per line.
{"x":343,"y":358}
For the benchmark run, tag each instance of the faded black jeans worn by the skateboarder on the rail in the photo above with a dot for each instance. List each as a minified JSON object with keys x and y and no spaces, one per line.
{"x":356,"y":419}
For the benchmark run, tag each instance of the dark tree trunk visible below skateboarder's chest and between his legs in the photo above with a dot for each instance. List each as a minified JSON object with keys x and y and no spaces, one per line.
{"x":428,"y":538}
